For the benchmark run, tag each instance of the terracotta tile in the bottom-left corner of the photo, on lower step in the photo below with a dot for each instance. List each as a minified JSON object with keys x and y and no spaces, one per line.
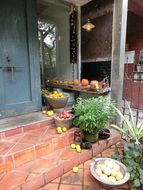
{"x":12,"y":179}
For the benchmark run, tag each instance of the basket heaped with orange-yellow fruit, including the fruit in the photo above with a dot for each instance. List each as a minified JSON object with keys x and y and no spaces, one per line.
{"x":57,"y":99}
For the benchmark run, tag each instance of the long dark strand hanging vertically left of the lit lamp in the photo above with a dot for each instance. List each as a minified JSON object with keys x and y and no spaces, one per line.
{"x":73,"y":36}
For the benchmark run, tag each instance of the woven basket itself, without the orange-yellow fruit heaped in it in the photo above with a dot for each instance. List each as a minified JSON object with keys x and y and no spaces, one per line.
{"x":58,"y":102}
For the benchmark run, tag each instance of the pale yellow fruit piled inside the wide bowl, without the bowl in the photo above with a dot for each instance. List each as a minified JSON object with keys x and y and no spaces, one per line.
{"x":109,"y":171}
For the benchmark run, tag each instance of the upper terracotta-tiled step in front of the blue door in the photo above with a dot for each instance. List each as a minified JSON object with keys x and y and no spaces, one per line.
{"x":38,"y":139}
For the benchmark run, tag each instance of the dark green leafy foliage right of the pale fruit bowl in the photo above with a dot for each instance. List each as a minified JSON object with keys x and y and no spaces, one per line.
{"x":131,"y":157}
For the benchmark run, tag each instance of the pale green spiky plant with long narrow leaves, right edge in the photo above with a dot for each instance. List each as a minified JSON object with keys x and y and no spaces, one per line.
{"x":128,"y":127}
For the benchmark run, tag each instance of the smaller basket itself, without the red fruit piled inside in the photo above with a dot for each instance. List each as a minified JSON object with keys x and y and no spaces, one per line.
{"x":64,"y":123}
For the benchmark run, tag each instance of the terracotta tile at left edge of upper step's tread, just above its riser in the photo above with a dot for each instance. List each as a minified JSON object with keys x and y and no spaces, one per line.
{"x":5,"y":147}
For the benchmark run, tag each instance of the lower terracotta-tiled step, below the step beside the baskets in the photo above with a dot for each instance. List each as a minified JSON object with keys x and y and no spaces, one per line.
{"x":42,"y":170}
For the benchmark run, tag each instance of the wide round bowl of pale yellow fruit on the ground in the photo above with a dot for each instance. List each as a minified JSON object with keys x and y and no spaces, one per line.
{"x":109,"y":172}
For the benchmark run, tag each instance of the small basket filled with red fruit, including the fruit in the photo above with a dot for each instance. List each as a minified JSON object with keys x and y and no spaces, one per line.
{"x":64,"y":119}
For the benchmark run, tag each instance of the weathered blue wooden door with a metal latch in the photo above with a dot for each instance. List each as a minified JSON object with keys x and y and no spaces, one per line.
{"x":19,"y":63}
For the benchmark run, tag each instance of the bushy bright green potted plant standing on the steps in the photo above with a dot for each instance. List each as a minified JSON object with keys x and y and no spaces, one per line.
{"x":91,"y":115}
